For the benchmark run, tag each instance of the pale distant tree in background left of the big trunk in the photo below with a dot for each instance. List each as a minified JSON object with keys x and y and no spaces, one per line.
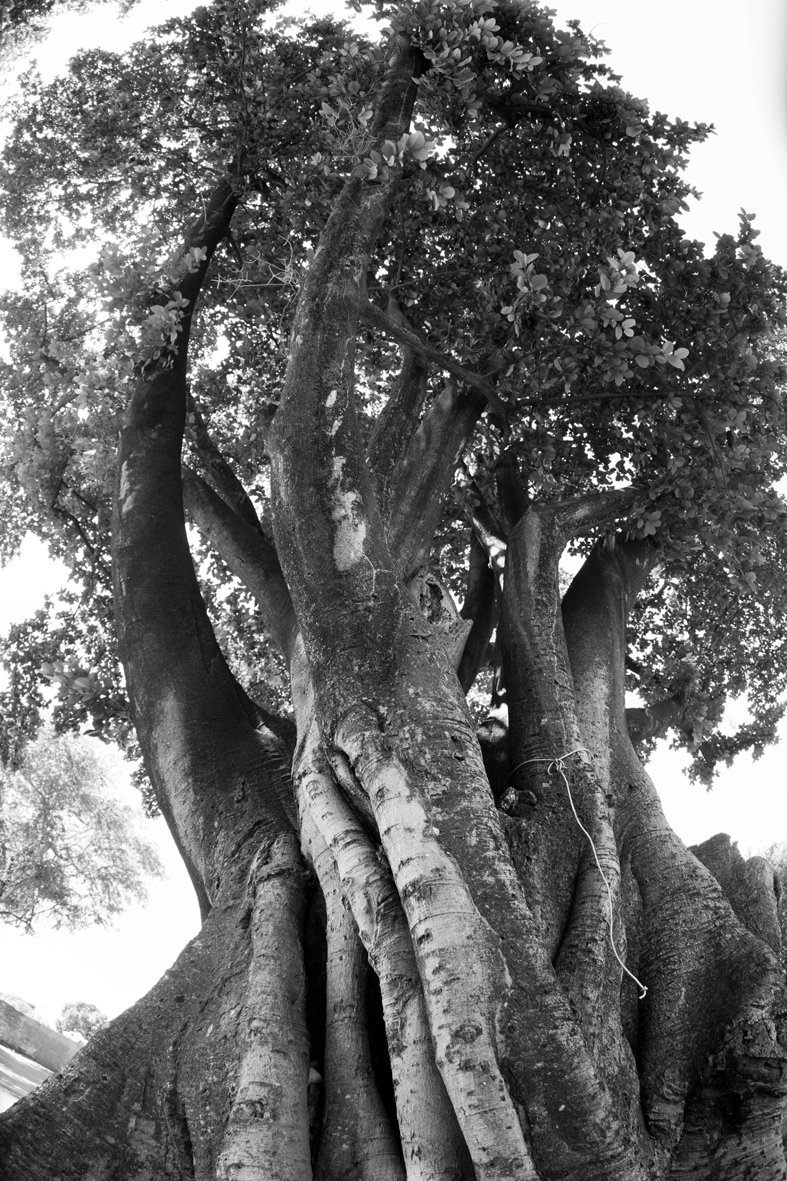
{"x":70,"y":856}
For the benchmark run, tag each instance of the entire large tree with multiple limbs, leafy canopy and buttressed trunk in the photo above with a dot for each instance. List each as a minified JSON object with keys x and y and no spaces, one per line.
{"x":448,"y":328}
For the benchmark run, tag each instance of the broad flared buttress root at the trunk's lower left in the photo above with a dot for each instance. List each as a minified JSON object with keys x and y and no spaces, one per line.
{"x":152,"y":1095}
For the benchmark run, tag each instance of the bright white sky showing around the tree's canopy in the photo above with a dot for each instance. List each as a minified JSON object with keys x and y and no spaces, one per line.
{"x":705,"y":61}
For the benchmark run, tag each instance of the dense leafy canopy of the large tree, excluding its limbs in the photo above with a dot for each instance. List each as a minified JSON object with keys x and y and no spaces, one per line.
{"x":535,"y":237}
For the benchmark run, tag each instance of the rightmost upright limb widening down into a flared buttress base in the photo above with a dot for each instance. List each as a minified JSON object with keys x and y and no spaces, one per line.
{"x":708,"y":1004}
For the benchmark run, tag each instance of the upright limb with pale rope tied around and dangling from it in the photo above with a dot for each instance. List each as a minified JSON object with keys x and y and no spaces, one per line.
{"x":563,"y":882}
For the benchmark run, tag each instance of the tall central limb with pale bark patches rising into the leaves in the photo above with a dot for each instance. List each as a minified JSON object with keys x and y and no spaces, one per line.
{"x":327,"y":520}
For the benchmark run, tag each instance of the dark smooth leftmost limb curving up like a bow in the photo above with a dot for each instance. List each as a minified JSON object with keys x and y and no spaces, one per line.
{"x":196,"y":729}
